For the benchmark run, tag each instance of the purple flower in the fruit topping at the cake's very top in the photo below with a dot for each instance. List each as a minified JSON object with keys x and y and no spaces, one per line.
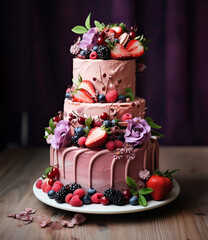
{"x":89,"y":39}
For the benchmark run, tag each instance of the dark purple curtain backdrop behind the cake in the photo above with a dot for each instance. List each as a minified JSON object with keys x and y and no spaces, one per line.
{"x":37,"y":65}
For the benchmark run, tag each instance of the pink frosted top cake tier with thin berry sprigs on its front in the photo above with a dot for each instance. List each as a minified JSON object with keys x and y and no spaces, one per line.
{"x":106,"y":75}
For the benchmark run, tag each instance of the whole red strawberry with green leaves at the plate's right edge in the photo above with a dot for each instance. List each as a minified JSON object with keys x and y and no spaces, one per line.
{"x":161,"y":183}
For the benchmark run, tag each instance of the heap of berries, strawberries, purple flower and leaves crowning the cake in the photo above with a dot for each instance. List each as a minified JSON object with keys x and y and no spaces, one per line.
{"x":111,"y":41}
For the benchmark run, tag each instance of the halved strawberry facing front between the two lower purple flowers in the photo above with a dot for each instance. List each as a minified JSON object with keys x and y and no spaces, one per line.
{"x":96,"y":138}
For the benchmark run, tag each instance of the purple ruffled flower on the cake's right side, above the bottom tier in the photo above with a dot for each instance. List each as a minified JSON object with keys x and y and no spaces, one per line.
{"x":137,"y":131}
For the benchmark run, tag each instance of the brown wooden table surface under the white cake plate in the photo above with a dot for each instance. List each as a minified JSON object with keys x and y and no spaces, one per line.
{"x":185,"y":218}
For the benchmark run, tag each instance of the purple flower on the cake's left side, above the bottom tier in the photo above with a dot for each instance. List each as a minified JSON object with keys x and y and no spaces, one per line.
{"x":62,"y":135}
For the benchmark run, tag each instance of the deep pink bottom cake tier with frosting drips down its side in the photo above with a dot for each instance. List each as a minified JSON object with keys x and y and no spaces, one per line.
{"x":101,"y":168}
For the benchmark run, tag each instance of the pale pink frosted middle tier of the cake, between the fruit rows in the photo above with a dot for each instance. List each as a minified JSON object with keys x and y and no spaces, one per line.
{"x":114,"y":110}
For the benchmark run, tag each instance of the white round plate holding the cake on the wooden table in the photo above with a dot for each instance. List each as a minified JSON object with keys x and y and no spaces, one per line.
{"x":109,"y":209}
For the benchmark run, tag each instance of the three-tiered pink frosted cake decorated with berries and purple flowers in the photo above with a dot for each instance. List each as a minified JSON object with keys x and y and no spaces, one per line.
{"x":102,"y":140}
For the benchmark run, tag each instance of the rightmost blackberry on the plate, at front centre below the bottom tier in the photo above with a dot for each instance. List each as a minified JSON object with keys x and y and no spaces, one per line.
{"x":115,"y":197}
